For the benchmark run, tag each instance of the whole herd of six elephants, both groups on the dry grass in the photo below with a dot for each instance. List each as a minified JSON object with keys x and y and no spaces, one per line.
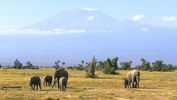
{"x":61,"y":78}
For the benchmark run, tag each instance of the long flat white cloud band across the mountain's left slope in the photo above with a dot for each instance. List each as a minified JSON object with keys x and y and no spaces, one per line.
{"x":40,"y":32}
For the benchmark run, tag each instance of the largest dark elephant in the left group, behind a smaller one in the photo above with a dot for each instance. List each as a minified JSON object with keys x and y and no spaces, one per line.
{"x":58,"y":74}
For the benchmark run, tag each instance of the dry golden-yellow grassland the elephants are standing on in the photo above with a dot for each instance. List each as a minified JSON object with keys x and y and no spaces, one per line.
{"x":153,"y":86}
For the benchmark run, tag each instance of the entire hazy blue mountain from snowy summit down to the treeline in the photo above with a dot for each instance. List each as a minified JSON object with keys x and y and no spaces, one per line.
{"x":87,"y":32}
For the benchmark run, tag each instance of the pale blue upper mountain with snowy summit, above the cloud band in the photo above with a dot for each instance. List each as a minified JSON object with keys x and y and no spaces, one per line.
{"x":87,"y":19}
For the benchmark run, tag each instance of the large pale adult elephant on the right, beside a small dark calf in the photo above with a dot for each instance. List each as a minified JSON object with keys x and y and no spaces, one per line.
{"x":133,"y":78}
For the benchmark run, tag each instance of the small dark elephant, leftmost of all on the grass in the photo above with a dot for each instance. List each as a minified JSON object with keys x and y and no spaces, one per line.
{"x":35,"y":81}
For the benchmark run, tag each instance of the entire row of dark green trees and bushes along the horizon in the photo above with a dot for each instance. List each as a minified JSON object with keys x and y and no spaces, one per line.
{"x":108,"y":66}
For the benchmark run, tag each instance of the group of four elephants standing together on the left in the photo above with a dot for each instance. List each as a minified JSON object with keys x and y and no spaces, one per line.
{"x":60,"y":77}
